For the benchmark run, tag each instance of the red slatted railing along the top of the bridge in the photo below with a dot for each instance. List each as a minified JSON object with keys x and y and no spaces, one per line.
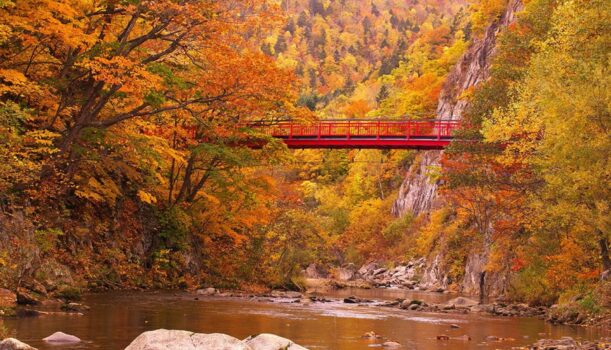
{"x":370,"y":129}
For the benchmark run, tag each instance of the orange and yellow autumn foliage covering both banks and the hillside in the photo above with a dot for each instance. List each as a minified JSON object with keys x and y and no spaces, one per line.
{"x":124,"y":134}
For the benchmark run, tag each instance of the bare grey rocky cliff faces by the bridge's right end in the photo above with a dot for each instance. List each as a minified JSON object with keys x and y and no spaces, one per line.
{"x":418,"y":194}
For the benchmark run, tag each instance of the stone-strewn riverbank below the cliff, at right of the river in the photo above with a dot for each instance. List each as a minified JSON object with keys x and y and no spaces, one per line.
{"x":418,"y":275}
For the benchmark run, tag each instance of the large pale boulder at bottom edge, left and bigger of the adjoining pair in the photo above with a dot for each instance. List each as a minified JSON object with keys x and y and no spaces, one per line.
{"x":163,"y":339}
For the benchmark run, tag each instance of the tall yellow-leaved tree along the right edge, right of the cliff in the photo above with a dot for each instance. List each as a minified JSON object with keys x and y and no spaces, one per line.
{"x":559,"y":125}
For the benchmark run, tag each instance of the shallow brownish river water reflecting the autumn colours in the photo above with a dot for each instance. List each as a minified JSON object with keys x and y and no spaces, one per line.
{"x":115,"y":319}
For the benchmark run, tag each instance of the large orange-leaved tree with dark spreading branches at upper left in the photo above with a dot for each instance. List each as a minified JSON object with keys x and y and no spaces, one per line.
{"x":92,"y":66}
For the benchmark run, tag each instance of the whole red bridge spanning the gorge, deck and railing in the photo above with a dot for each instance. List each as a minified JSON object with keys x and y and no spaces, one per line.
{"x":362,"y":133}
